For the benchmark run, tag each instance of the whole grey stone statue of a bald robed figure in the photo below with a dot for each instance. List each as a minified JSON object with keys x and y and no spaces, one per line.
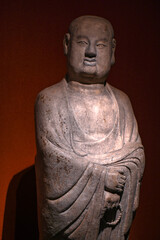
{"x":90,"y":159}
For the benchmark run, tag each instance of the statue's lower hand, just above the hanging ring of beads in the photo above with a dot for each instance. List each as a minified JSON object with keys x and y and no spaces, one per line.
{"x":111,"y":200}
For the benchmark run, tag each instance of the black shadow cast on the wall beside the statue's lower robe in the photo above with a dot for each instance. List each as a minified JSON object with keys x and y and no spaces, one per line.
{"x":20,"y":218}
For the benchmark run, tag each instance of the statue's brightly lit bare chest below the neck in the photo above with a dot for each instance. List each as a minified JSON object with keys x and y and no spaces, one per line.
{"x":94,"y":115}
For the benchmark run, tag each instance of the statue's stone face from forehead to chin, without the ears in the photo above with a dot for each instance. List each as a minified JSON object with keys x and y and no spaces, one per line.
{"x":90,"y":52}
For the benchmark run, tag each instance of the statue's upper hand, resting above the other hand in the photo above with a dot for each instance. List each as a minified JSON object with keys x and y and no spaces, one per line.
{"x":115,"y":179}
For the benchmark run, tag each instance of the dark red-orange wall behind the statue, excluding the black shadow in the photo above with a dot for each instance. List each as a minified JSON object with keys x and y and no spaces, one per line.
{"x":31,"y":58}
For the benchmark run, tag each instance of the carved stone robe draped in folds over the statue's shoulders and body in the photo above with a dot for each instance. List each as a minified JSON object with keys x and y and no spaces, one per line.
{"x":71,"y":168}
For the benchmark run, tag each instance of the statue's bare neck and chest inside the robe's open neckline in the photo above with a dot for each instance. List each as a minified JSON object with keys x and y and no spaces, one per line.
{"x":93,"y":108}
